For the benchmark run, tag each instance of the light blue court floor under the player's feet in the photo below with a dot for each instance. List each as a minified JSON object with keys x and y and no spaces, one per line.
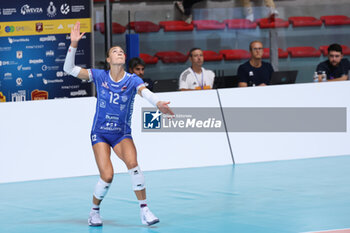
{"x":287,"y":196}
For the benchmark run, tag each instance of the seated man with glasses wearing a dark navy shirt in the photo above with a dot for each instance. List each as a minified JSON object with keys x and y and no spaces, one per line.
{"x":255,"y":72}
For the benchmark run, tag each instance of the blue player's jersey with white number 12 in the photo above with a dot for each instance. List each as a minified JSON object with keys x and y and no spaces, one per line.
{"x":115,"y":101}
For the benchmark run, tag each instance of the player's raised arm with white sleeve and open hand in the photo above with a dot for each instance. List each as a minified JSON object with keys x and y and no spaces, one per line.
{"x":69,"y":64}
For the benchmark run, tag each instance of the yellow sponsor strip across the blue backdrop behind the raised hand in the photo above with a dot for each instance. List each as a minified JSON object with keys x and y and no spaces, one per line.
{"x":42,"y":27}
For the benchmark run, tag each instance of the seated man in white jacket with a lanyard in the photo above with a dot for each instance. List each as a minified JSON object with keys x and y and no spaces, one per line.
{"x":196,"y":77}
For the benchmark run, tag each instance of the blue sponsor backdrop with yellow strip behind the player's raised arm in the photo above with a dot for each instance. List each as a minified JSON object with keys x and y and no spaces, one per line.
{"x":34,"y":39}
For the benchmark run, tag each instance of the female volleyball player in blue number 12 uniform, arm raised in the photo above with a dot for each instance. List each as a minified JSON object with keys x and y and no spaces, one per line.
{"x":116,"y":91}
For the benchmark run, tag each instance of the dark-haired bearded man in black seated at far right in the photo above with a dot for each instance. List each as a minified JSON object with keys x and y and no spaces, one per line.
{"x":336,"y":67}
